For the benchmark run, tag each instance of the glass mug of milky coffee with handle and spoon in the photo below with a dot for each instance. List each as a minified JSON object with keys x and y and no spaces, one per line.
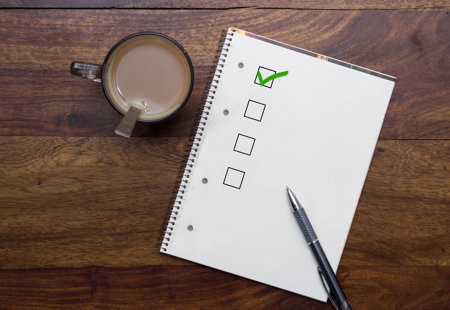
{"x":146,"y":76}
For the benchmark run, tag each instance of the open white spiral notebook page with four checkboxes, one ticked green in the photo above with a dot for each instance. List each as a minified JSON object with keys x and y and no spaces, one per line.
{"x":276,"y":115}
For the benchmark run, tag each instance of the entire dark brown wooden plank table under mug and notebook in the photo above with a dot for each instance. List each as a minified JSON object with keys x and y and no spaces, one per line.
{"x":81,"y":209}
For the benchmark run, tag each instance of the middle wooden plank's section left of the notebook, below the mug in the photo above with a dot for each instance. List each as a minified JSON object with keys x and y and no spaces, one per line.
{"x":85,"y":201}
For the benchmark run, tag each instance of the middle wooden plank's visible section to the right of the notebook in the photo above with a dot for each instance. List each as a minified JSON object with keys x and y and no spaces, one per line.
{"x":403,"y":213}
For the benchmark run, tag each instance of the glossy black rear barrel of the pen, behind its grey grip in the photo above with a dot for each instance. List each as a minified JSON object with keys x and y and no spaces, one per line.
{"x":334,"y":287}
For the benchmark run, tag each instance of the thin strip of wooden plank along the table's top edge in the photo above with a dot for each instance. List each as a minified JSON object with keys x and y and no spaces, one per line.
{"x":201,"y":4}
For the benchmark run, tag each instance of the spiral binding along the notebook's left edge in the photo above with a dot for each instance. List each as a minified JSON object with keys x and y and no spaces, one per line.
{"x":196,"y":138}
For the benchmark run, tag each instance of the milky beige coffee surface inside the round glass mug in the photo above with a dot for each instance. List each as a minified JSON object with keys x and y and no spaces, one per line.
{"x":149,"y":73}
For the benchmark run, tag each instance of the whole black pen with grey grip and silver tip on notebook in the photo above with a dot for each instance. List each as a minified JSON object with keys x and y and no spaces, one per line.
{"x":331,"y":284}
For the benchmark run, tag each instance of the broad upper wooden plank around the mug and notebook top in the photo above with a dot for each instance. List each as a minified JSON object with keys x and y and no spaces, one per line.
{"x":413,"y":46}
